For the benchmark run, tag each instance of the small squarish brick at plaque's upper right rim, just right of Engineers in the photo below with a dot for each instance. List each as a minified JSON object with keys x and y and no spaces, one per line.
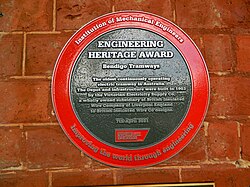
{"x":218,"y":52}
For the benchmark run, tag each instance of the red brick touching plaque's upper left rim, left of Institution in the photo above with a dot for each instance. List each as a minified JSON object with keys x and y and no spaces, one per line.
{"x":42,"y":52}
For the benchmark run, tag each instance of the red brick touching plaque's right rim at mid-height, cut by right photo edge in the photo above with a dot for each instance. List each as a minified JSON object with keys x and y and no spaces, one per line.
{"x":229,"y":96}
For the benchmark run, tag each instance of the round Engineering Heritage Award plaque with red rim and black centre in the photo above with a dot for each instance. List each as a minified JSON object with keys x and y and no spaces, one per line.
{"x":130,"y":89}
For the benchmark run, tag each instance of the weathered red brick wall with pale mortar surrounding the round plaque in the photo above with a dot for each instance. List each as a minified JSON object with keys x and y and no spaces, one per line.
{"x":34,"y":150}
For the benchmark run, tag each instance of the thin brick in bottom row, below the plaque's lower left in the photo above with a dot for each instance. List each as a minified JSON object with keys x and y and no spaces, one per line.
{"x":83,"y":178}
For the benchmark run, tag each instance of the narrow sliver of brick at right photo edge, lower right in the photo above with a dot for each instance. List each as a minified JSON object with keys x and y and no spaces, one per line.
{"x":245,"y":140}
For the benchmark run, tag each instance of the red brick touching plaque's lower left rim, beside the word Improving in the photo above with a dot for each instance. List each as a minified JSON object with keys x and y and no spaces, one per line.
{"x":49,"y":147}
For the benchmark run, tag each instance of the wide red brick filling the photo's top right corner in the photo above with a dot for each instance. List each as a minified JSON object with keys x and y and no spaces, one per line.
{"x":212,"y":13}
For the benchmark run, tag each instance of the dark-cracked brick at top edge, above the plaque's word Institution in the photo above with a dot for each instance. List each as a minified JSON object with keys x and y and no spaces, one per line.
{"x":73,"y":14}
